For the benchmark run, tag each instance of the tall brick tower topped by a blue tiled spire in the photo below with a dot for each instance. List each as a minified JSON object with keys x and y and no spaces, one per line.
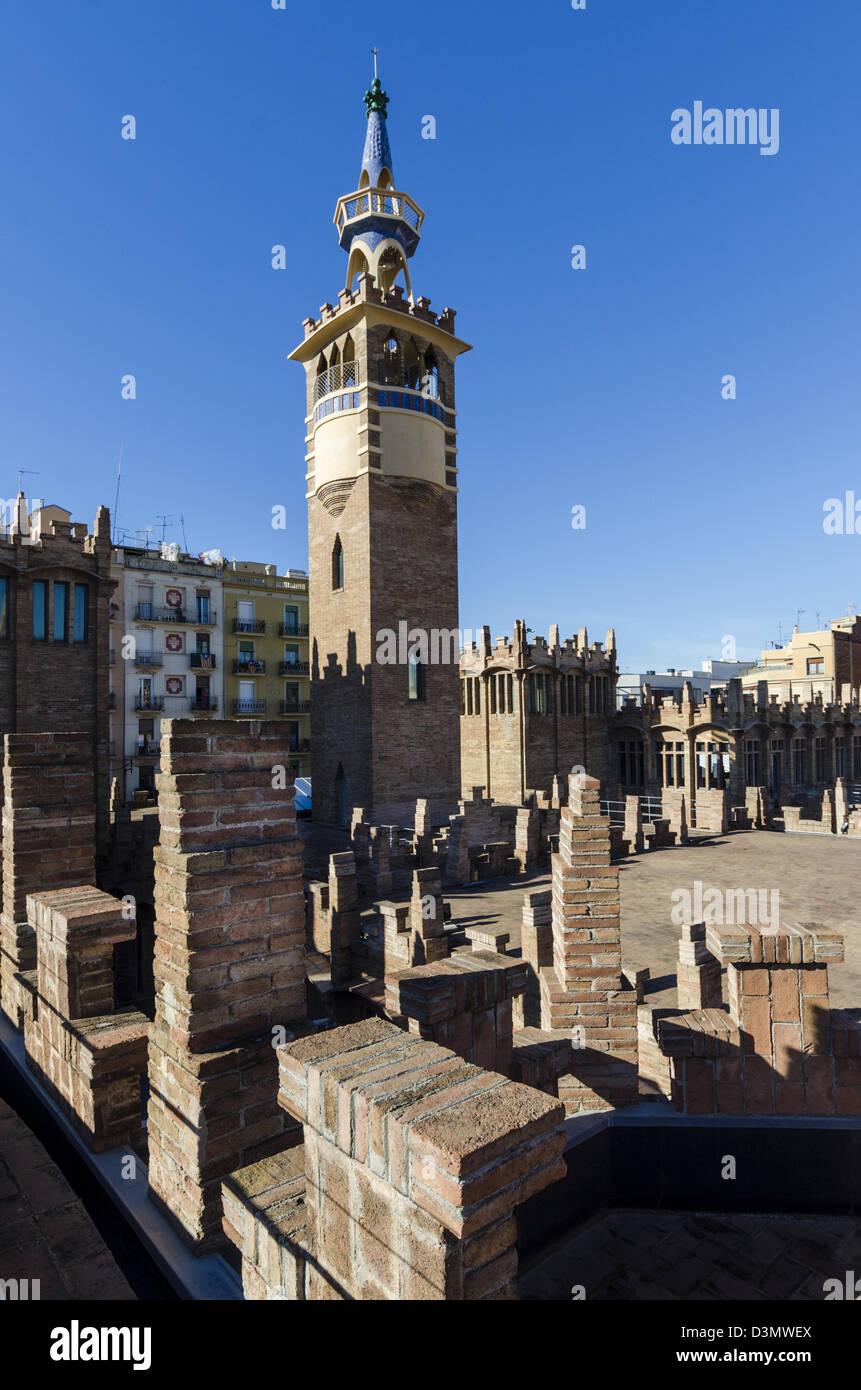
{"x":383,"y":518}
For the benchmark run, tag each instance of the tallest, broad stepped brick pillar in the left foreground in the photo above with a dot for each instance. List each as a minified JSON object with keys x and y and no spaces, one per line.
{"x":230,"y":963}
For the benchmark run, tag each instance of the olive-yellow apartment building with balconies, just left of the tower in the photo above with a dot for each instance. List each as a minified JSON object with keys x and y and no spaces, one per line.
{"x":268,"y":669}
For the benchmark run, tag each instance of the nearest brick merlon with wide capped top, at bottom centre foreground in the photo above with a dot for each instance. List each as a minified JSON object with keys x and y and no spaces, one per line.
{"x":415,"y":1166}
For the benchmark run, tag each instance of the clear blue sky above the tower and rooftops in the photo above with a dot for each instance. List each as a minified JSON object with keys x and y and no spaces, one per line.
{"x":597,"y":387}
